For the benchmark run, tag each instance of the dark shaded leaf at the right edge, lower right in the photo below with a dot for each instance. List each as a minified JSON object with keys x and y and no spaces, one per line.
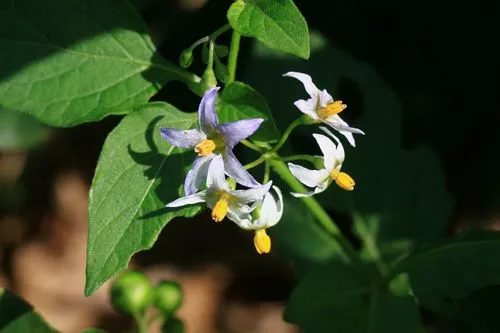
{"x":442,"y":274}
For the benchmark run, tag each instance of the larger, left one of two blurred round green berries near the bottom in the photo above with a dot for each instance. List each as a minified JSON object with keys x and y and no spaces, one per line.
{"x":131,"y":292}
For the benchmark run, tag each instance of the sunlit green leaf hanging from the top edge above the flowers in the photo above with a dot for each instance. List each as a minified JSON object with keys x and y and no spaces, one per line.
{"x":276,"y":23}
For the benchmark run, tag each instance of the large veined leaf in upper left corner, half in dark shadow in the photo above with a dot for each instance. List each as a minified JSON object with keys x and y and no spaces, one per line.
{"x":69,"y":62}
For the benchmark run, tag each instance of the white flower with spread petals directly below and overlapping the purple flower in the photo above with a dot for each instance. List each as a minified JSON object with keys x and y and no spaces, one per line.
{"x":221,"y":199}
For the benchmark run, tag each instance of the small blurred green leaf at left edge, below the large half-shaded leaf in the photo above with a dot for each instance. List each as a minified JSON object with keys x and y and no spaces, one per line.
{"x":19,"y":131}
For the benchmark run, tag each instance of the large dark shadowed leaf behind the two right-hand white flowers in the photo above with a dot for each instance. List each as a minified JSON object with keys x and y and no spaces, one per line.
{"x":402,"y":190}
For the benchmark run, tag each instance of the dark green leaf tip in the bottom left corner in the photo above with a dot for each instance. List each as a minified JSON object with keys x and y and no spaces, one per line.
{"x":18,"y":316}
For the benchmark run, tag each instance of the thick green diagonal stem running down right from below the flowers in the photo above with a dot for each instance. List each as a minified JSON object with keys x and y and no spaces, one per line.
{"x":321,"y":215}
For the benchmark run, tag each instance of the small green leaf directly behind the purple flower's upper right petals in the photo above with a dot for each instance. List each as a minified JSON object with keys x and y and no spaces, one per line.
{"x":239,"y":101}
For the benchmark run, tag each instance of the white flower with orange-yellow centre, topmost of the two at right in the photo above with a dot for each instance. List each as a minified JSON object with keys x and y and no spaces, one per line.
{"x":322,"y":107}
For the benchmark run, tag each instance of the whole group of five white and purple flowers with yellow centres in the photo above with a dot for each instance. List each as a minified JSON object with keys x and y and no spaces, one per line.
{"x":257,"y":207}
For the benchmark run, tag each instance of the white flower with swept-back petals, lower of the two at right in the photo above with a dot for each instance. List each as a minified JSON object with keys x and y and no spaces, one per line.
{"x":333,"y":157}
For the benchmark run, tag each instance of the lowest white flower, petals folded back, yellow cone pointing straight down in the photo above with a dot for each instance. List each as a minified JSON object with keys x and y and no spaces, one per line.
{"x":267,"y":214}
